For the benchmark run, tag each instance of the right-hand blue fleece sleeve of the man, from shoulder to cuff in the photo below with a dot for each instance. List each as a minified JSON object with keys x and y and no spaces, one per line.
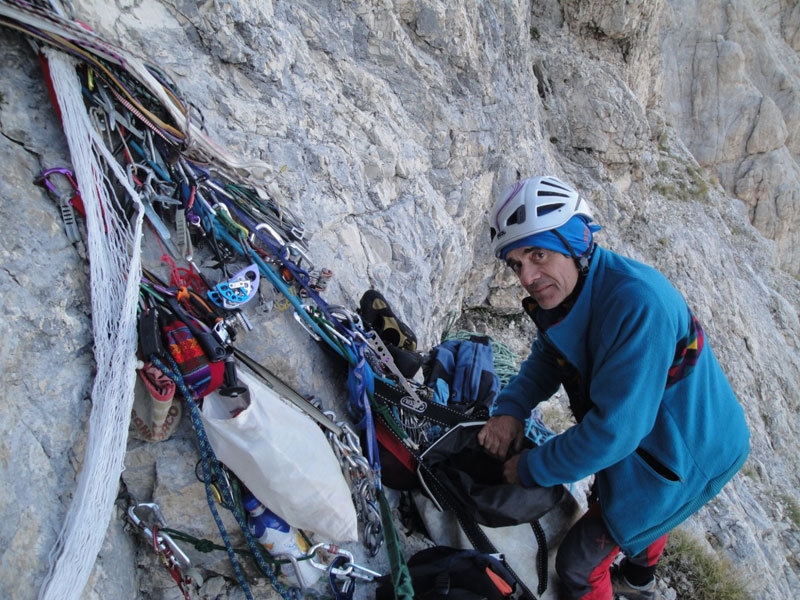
{"x":632,"y":351}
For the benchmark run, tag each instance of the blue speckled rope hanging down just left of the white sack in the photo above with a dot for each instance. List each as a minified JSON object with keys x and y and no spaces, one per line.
{"x":210,"y":466}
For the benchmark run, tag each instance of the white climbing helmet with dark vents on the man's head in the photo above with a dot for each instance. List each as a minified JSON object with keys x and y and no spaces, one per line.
{"x":532,"y":206}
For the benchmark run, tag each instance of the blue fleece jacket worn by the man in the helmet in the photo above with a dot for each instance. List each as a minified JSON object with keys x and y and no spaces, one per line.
{"x":659,"y":452}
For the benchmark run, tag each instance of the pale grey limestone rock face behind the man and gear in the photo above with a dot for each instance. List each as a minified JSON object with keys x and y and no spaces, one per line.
{"x":389,"y":126}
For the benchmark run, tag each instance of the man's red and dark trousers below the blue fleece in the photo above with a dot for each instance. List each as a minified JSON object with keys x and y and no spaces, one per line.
{"x":586,"y":554}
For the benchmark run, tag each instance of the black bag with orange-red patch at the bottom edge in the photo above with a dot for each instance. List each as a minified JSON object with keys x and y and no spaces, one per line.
{"x":455,"y":574}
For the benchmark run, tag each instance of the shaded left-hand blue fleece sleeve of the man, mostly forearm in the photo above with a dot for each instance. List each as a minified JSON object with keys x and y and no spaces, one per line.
{"x":536,"y":381}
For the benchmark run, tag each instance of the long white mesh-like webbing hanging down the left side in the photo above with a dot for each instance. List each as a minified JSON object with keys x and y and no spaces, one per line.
{"x":114,"y":246}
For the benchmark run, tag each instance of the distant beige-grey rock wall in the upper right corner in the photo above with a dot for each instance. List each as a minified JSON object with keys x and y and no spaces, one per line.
{"x":733,"y":96}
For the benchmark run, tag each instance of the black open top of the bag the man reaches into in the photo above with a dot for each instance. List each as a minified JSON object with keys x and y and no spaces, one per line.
{"x":456,"y":469}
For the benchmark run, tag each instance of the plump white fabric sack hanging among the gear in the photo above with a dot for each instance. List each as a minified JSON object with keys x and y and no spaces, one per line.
{"x":283,"y":457}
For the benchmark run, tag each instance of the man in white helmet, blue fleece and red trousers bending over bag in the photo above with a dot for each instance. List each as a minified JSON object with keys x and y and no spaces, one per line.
{"x":657,"y":422}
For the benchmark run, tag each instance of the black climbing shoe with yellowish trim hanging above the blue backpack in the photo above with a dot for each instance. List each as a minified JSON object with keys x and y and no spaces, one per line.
{"x":400,"y":340}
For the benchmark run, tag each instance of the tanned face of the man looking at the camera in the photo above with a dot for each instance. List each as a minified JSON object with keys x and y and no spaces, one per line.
{"x":549,"y":277}
